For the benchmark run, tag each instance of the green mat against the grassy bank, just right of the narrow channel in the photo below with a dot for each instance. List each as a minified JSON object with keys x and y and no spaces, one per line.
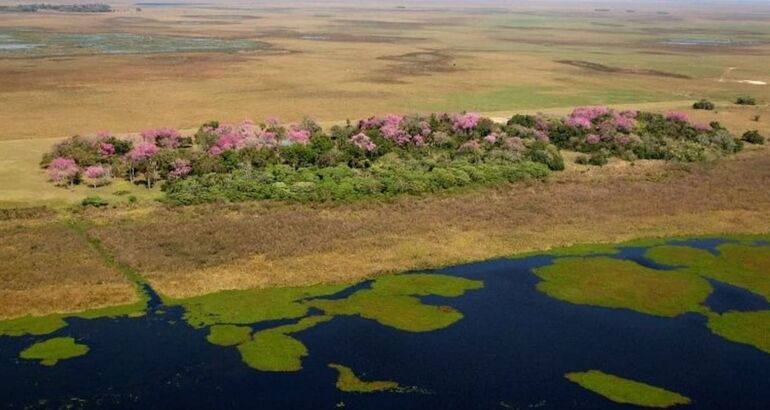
{"x":252,"y":305}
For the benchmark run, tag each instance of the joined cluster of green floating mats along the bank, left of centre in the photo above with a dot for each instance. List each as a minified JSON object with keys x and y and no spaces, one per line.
{"x":391,"y":300}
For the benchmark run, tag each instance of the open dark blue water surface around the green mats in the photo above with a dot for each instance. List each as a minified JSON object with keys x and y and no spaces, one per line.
{"x":510,"y":351}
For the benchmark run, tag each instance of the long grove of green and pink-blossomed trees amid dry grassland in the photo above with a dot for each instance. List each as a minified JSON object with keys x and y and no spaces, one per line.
{"x":375,"y":157}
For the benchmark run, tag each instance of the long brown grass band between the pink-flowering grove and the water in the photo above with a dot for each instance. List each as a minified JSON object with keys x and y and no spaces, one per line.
{"x":197,"y":250}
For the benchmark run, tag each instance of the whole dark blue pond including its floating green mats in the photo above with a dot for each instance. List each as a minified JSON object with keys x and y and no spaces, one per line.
{"x":493,"y":335}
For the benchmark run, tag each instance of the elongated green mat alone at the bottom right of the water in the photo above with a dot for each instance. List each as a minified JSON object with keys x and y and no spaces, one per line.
{"x":626,"y":391}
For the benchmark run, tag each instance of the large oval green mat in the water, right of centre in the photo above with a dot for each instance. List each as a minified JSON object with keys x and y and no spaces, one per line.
{"x":615,"y":283}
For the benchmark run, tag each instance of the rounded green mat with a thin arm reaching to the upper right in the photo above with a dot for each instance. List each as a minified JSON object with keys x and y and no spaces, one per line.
{"x":273,"y":350}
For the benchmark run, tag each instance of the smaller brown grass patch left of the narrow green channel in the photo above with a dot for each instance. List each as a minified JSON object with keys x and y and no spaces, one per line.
{"x":49,"y":269}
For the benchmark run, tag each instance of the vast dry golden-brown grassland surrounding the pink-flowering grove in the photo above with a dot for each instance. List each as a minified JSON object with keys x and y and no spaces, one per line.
{"x":331,"y":62}
